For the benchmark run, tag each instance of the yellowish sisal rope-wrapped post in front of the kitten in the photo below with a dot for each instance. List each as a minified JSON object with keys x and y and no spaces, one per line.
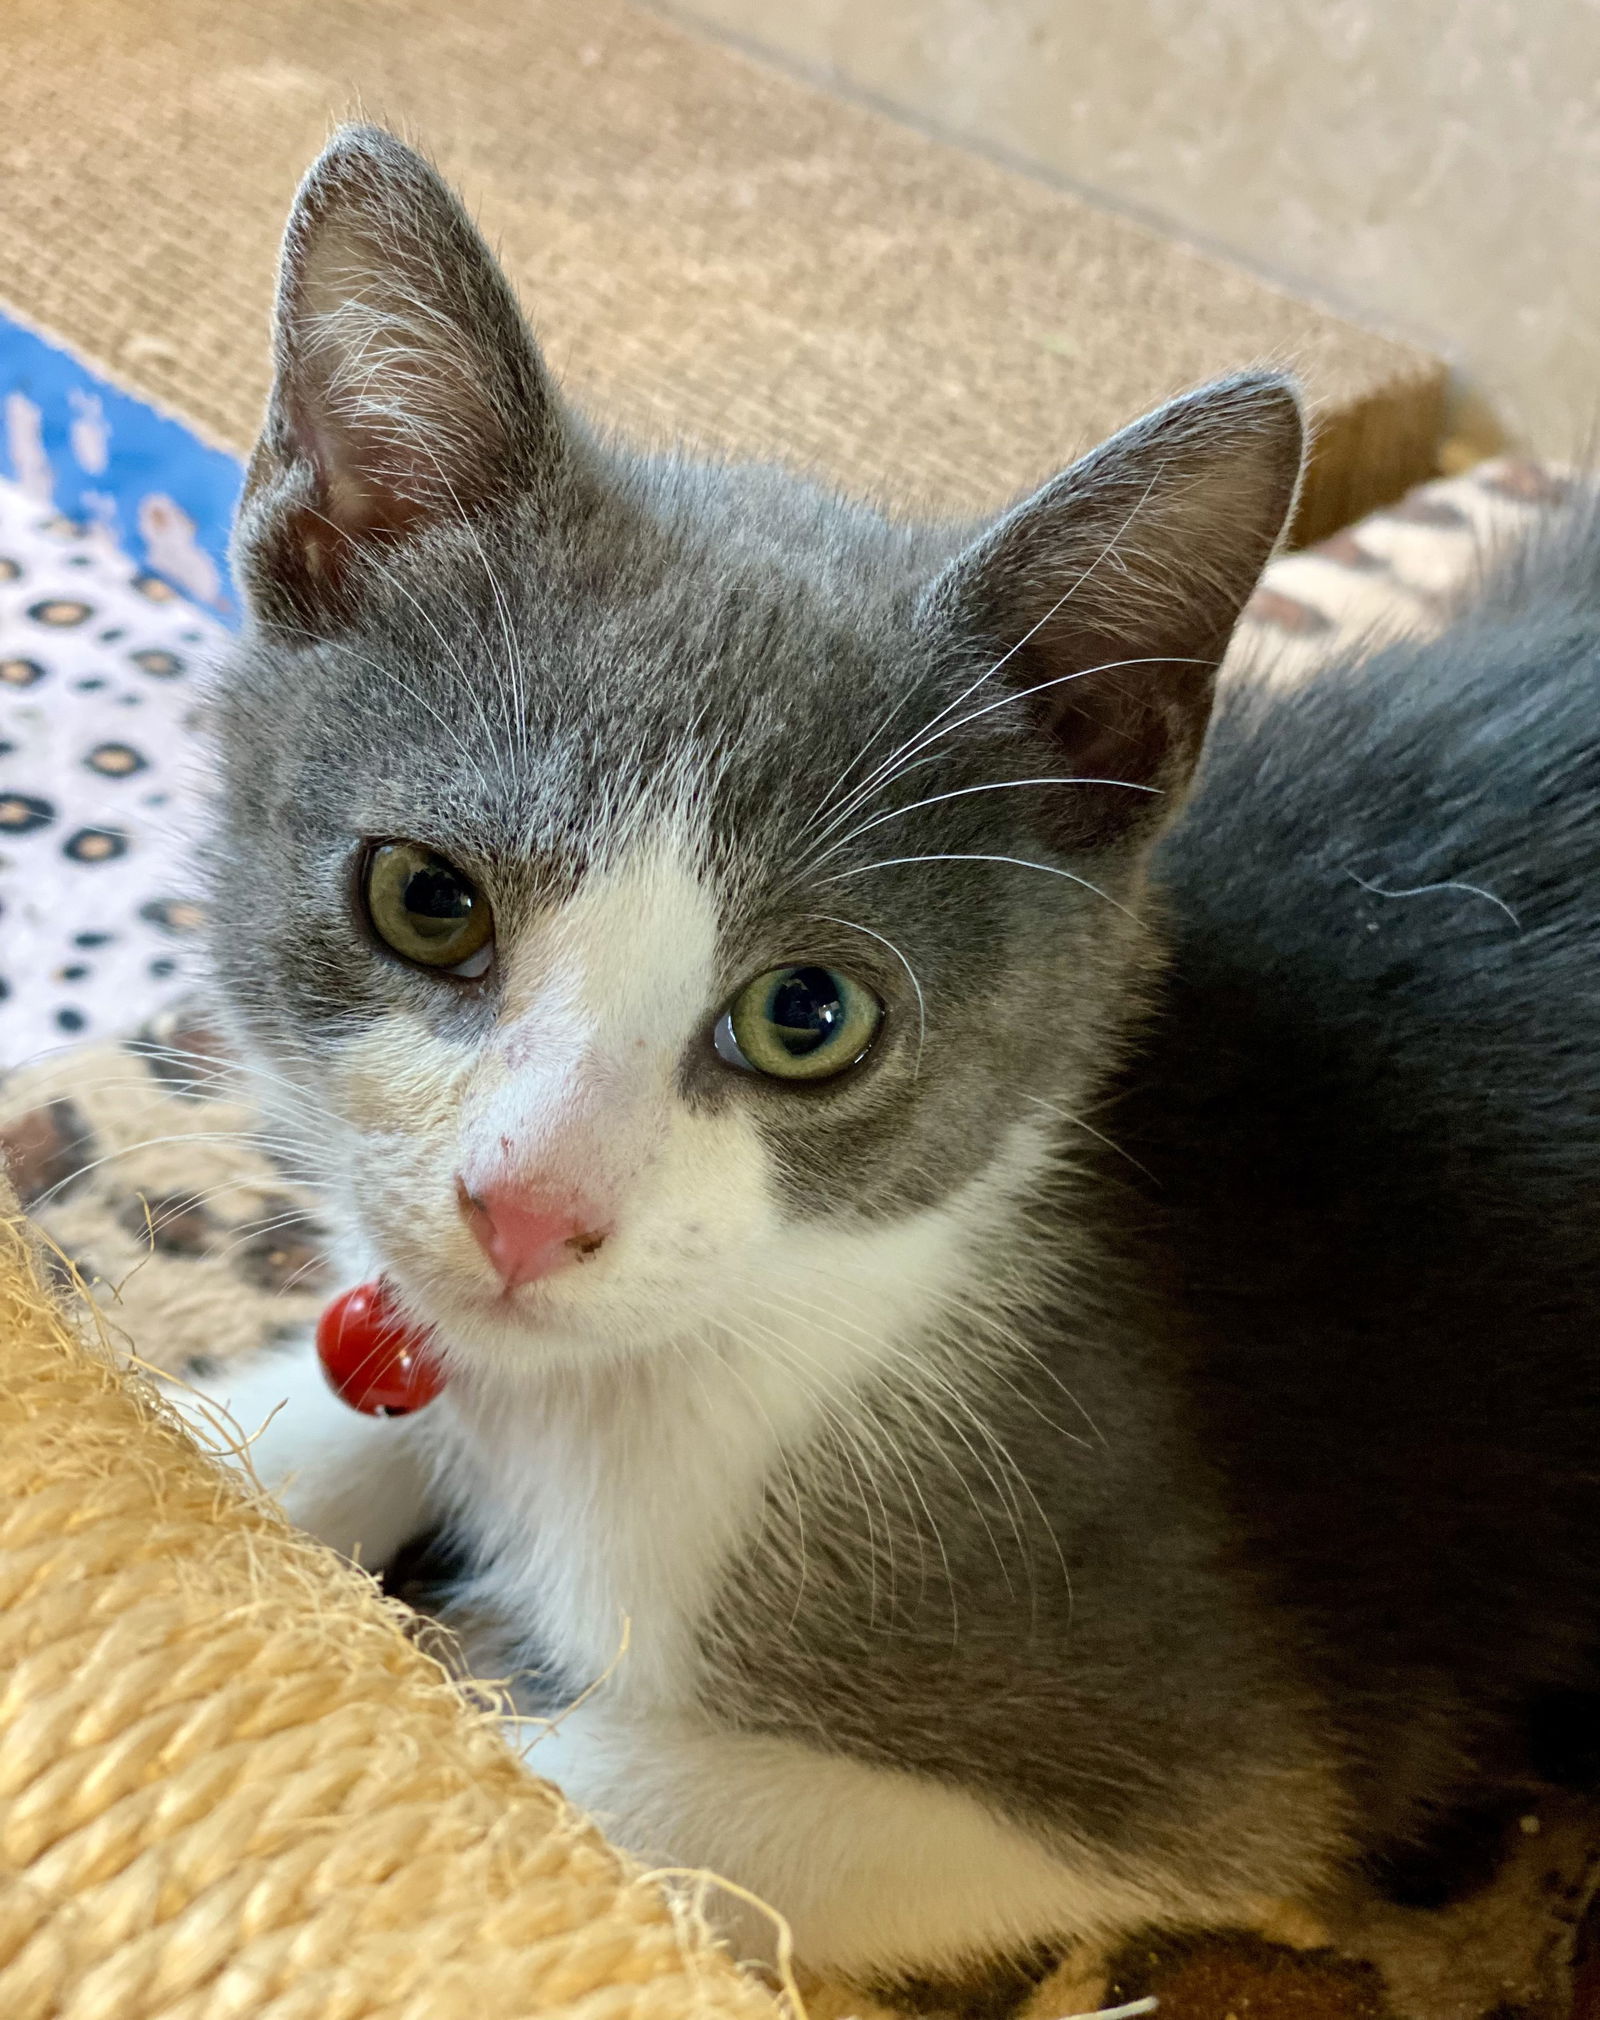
{"x":233,"y":1787}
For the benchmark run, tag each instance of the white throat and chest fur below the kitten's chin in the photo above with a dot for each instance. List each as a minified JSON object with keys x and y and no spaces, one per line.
{"x":621,"y":1492}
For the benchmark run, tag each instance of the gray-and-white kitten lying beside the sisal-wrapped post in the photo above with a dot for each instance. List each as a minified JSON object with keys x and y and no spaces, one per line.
{"x":696,"y":926}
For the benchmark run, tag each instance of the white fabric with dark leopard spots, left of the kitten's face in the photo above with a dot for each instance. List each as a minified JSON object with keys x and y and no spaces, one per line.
{"x":100,"y":783}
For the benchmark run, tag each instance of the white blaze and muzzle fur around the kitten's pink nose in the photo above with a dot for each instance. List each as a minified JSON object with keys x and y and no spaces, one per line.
{"x":577,"y":1096}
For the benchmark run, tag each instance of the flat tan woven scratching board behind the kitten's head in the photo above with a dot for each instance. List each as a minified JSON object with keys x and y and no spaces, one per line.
{"x":708,"y":247}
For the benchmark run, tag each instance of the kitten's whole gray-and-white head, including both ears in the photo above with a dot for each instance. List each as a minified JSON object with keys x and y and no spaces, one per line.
{"x":672,"y":898}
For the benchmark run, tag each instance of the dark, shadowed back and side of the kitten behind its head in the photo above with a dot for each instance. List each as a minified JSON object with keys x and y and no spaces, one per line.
{"x":1373,"y":1104}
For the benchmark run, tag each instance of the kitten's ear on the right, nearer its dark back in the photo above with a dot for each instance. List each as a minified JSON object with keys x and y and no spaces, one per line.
{"x":1106,"y":601}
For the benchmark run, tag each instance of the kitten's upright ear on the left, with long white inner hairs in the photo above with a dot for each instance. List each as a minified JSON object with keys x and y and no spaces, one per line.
{"x":409,"y":389}
